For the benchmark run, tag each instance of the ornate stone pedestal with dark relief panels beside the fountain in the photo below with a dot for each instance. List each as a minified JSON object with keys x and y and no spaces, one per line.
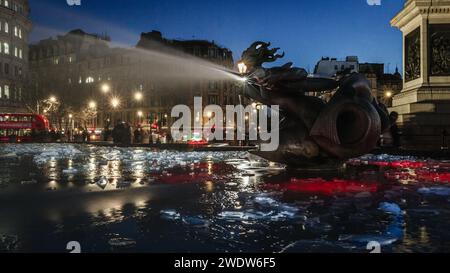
{"x":424,"y":103}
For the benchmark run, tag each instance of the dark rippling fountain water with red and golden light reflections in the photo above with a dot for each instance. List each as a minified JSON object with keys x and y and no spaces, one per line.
{"x":144,"y":200}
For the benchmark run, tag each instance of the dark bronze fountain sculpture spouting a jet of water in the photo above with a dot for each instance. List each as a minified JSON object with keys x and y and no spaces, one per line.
{"x":314,"y":131}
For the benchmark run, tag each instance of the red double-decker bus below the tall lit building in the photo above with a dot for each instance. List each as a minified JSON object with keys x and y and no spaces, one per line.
{"x":23,"y":127}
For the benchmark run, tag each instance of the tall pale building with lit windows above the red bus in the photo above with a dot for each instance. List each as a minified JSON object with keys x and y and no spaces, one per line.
{"x":15,"y":26}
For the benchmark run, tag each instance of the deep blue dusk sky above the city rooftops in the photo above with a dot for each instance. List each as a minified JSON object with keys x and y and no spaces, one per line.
{"x":305,"y":30}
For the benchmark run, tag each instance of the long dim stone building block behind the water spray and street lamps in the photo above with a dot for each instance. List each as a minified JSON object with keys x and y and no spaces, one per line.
{"x":134,"y":85}
